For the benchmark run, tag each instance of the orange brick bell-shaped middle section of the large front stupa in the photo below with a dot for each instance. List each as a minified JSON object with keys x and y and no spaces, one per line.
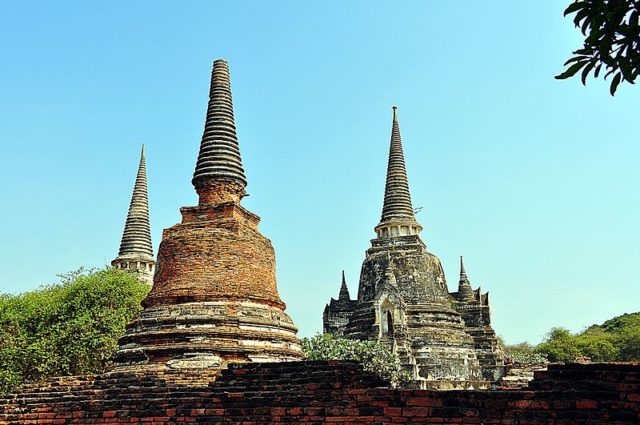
{"x":216,"y":253}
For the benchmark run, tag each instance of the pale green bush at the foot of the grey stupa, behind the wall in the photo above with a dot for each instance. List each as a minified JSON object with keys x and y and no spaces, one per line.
{"x":372,"y":355}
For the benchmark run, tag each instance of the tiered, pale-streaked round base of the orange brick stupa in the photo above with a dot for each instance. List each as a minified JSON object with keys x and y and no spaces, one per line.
{"x":207,"y":335}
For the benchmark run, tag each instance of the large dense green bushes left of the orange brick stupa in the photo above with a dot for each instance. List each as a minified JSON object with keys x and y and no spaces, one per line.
{"x":70,"y":328}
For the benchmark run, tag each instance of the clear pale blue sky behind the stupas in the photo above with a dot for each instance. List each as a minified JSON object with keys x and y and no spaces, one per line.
{"x":533,"y":180}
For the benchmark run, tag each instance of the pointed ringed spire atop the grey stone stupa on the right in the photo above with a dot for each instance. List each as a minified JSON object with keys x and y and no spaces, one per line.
{"x":398,"y":217}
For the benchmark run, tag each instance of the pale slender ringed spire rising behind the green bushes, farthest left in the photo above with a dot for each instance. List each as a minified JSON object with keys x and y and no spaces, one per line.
{"x":136,"y":253}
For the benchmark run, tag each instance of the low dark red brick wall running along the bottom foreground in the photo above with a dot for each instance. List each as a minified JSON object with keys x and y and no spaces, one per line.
{"x":327,"y":392}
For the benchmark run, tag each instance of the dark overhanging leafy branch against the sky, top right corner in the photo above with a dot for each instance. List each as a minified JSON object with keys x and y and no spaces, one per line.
{"x":612,"y":40}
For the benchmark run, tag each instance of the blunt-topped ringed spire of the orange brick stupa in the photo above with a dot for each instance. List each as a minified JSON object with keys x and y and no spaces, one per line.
{"x":219,"y":157}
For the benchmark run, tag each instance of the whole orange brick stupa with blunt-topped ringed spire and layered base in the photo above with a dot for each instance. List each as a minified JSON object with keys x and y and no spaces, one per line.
{"x":214,"y":298}
